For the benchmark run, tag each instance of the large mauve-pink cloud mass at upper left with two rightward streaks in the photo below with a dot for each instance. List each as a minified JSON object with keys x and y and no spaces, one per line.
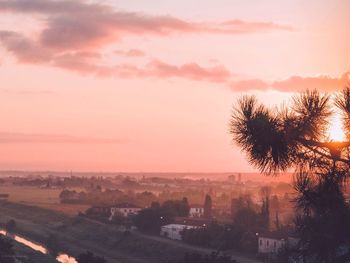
{"x":74,"y":32}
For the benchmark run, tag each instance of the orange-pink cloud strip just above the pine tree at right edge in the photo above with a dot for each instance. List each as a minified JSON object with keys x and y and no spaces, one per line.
{"x":295,"y":83}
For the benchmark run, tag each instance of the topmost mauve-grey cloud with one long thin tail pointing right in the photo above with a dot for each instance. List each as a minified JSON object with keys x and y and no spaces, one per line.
{"x":83,"y":25}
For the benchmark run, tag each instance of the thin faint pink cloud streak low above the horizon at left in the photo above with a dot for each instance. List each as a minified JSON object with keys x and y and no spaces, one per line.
{"x":9,"y":137}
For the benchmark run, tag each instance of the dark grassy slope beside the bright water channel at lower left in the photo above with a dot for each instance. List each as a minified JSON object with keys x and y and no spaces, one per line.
{"x":76,"y":235}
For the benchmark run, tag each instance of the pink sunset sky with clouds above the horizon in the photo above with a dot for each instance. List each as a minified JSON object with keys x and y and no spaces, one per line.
{"x":149,"y":85}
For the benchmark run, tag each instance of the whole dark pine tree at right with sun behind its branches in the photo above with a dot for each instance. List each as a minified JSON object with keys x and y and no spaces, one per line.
{"x":279,"y":139}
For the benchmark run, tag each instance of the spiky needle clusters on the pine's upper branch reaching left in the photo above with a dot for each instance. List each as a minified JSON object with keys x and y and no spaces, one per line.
{"x":278,"y":139}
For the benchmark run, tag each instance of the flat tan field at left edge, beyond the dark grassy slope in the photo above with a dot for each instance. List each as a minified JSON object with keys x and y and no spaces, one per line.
{"x":46,"y":198}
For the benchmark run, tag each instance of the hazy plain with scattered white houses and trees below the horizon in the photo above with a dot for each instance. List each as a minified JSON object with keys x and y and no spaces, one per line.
{"x":203,"y":213}
